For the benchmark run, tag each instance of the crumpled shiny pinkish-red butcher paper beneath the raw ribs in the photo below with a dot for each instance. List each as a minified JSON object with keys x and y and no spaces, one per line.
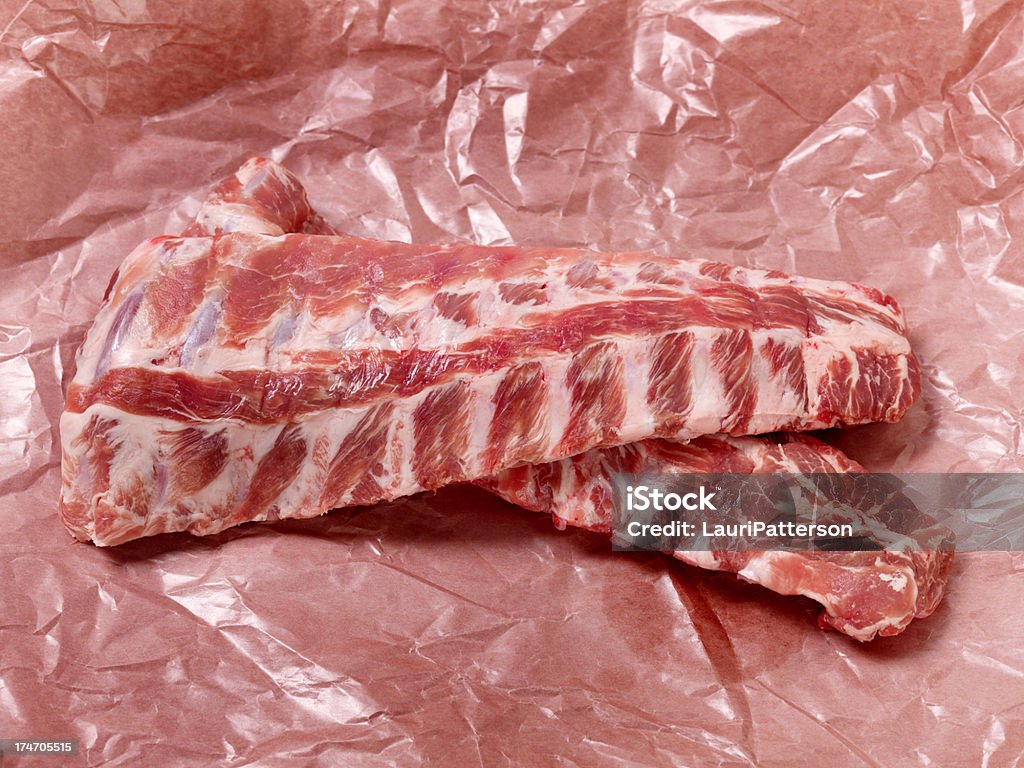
{"x":881,"y":143}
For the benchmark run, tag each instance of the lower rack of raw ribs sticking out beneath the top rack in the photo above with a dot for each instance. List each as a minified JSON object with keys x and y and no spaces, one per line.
{"x":864,"y":593}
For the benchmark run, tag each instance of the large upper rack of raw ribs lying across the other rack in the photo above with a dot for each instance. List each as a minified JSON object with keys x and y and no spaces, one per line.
{"x":247,"y":377}
